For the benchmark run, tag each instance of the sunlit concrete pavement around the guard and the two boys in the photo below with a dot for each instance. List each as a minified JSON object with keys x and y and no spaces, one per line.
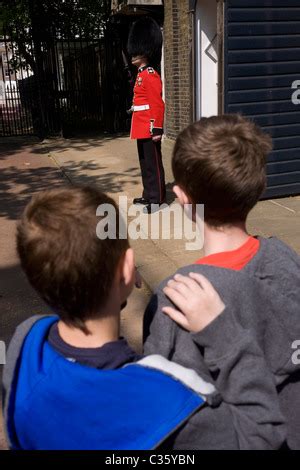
{"x":109,"y":162}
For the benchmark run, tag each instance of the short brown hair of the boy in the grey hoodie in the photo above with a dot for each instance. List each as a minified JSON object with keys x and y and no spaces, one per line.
{"x":220,"y":162}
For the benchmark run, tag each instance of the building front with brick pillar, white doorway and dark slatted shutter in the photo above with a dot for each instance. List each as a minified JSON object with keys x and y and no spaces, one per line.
{"x":238,"y":56}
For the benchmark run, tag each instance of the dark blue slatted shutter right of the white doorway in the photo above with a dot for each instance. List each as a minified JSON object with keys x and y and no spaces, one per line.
{"x":261,"y":61}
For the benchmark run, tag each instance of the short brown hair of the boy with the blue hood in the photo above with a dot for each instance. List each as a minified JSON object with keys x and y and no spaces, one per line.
{"x":64,"y":260}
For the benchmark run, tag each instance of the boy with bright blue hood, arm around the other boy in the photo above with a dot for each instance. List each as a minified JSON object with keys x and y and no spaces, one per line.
{"x":71,"y":382}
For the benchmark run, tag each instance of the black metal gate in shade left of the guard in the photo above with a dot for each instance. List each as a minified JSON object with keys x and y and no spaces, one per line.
{"x":77,"y":84}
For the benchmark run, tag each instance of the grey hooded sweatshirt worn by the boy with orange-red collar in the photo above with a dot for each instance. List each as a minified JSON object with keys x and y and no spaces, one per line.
{"x":262,"y":307}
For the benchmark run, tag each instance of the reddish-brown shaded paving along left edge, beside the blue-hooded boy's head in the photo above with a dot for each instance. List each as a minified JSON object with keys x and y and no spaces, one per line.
{"x":23,"y":172}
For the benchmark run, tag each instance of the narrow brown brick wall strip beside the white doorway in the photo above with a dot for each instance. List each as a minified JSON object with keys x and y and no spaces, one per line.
{"x":178,"y":75}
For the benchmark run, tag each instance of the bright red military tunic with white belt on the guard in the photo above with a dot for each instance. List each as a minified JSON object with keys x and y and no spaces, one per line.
{"x":148,"y":106}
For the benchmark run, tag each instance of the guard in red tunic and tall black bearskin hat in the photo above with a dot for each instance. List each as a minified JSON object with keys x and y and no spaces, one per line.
{"x":144,"y":46}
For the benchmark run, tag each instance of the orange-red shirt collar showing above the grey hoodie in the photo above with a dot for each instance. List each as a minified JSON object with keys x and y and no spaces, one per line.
{"x":235,"y":259}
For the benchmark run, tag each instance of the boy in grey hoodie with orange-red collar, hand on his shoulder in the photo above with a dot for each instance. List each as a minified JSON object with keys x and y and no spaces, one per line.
{"x":220,"y":162}
